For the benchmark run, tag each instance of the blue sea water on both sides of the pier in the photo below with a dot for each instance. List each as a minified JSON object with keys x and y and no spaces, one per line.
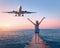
{"x":19,"y":38}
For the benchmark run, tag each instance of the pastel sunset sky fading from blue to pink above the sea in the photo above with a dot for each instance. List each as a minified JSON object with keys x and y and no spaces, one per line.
{"x":44,"y":8}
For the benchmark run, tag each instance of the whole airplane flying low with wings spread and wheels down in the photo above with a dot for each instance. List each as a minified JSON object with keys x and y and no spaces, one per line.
{"x":19,"y":12}
